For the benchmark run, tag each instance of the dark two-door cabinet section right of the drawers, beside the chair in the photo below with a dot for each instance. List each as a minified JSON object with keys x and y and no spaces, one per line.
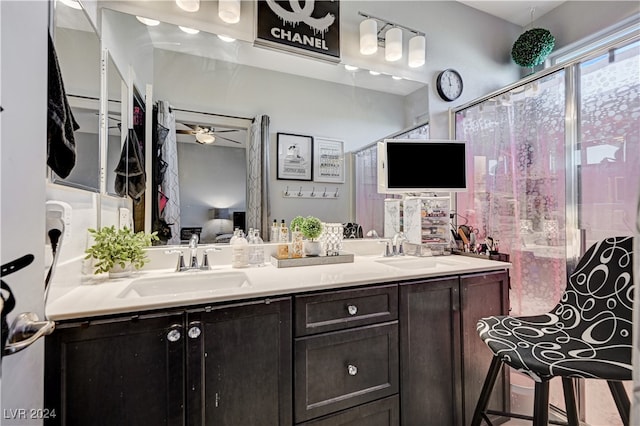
{"x":443,"y":360}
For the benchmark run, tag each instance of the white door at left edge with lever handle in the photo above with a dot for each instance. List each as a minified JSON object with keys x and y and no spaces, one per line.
{"x":23,"y":136}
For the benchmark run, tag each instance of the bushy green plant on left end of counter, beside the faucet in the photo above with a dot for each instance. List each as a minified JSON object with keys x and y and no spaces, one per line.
{"x":117,"y":251}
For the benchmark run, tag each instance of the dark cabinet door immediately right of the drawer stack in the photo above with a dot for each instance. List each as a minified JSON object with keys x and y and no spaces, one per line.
{"x":430,"y":391}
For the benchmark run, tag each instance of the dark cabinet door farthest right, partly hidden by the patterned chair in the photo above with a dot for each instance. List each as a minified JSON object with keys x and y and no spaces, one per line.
{"x":482,"y":295}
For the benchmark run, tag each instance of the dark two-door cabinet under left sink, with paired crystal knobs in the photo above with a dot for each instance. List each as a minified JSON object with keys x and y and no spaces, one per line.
{"x":204,"y":366}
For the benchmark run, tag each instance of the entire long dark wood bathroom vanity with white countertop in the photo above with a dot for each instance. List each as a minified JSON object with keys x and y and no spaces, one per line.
{"x":380,"y":341}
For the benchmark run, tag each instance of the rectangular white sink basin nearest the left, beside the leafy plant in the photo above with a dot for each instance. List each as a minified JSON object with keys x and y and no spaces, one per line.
{"x":186,"y":282}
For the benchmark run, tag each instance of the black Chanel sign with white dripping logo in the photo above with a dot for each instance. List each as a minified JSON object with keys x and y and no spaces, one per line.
{"x":306,"y":27}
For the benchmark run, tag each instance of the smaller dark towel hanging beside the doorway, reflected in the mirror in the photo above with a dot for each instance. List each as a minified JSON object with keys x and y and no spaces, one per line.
{"x":130,"y":175}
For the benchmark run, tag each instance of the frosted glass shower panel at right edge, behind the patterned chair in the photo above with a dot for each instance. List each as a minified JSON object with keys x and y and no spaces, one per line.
{"x":609,"y":170}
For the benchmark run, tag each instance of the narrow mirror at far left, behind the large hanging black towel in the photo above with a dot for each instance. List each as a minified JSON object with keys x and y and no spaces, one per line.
{"x":78,"y":50}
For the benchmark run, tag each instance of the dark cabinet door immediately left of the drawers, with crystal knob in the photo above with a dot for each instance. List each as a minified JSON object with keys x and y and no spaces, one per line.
{"x":239,"y":365}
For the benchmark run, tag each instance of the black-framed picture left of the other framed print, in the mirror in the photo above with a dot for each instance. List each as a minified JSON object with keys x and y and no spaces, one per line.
{"x":295,"y":157}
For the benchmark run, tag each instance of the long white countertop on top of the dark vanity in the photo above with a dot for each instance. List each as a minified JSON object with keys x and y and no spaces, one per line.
{"x":99,"y":295}
